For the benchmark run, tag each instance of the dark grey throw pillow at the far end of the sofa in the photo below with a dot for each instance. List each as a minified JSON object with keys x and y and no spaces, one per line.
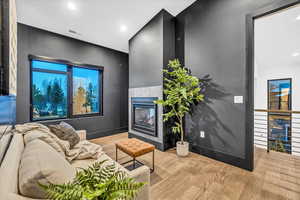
{"x":65,"y":131}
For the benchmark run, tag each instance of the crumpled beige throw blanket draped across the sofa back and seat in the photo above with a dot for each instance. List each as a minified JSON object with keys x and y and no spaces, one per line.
{"x":83,"y":150}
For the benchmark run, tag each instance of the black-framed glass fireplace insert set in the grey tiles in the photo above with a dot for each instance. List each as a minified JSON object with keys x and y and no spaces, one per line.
{"x":144,"y":115}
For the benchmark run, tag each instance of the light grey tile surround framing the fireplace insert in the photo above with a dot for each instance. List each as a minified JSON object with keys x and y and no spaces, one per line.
{"x":154,"y":91}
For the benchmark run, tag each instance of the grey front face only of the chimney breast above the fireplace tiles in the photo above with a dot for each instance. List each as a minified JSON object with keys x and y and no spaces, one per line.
{"x":146,"y":54}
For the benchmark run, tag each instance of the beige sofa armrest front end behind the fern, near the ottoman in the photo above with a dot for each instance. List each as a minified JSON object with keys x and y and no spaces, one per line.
{"x":142,"y":174}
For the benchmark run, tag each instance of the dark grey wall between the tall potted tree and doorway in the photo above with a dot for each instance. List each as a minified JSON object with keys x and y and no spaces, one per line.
{"x":211,"y":39}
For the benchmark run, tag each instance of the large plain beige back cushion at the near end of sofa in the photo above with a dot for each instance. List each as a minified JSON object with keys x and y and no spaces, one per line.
{"x":40,"y":163}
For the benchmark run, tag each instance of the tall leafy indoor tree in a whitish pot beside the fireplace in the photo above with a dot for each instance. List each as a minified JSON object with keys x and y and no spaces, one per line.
{"x":181,"y":91}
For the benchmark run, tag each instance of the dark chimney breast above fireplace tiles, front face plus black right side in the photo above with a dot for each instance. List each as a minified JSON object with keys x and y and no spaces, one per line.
{"x":150,"y":49}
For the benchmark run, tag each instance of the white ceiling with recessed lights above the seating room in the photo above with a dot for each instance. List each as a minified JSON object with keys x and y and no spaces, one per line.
{"x":109,"y":23}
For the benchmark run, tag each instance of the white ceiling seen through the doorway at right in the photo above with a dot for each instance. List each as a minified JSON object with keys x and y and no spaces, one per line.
{"x":277,"y":41}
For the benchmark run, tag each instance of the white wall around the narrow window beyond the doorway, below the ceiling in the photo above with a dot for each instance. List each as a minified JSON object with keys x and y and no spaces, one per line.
{"x":260,"y":102}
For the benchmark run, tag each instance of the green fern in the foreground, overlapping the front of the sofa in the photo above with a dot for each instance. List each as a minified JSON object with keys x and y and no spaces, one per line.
{"x":97,"y":182}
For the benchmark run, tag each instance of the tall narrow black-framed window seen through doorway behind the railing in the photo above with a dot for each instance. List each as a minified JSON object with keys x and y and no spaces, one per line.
{"x":279,"y":121}
